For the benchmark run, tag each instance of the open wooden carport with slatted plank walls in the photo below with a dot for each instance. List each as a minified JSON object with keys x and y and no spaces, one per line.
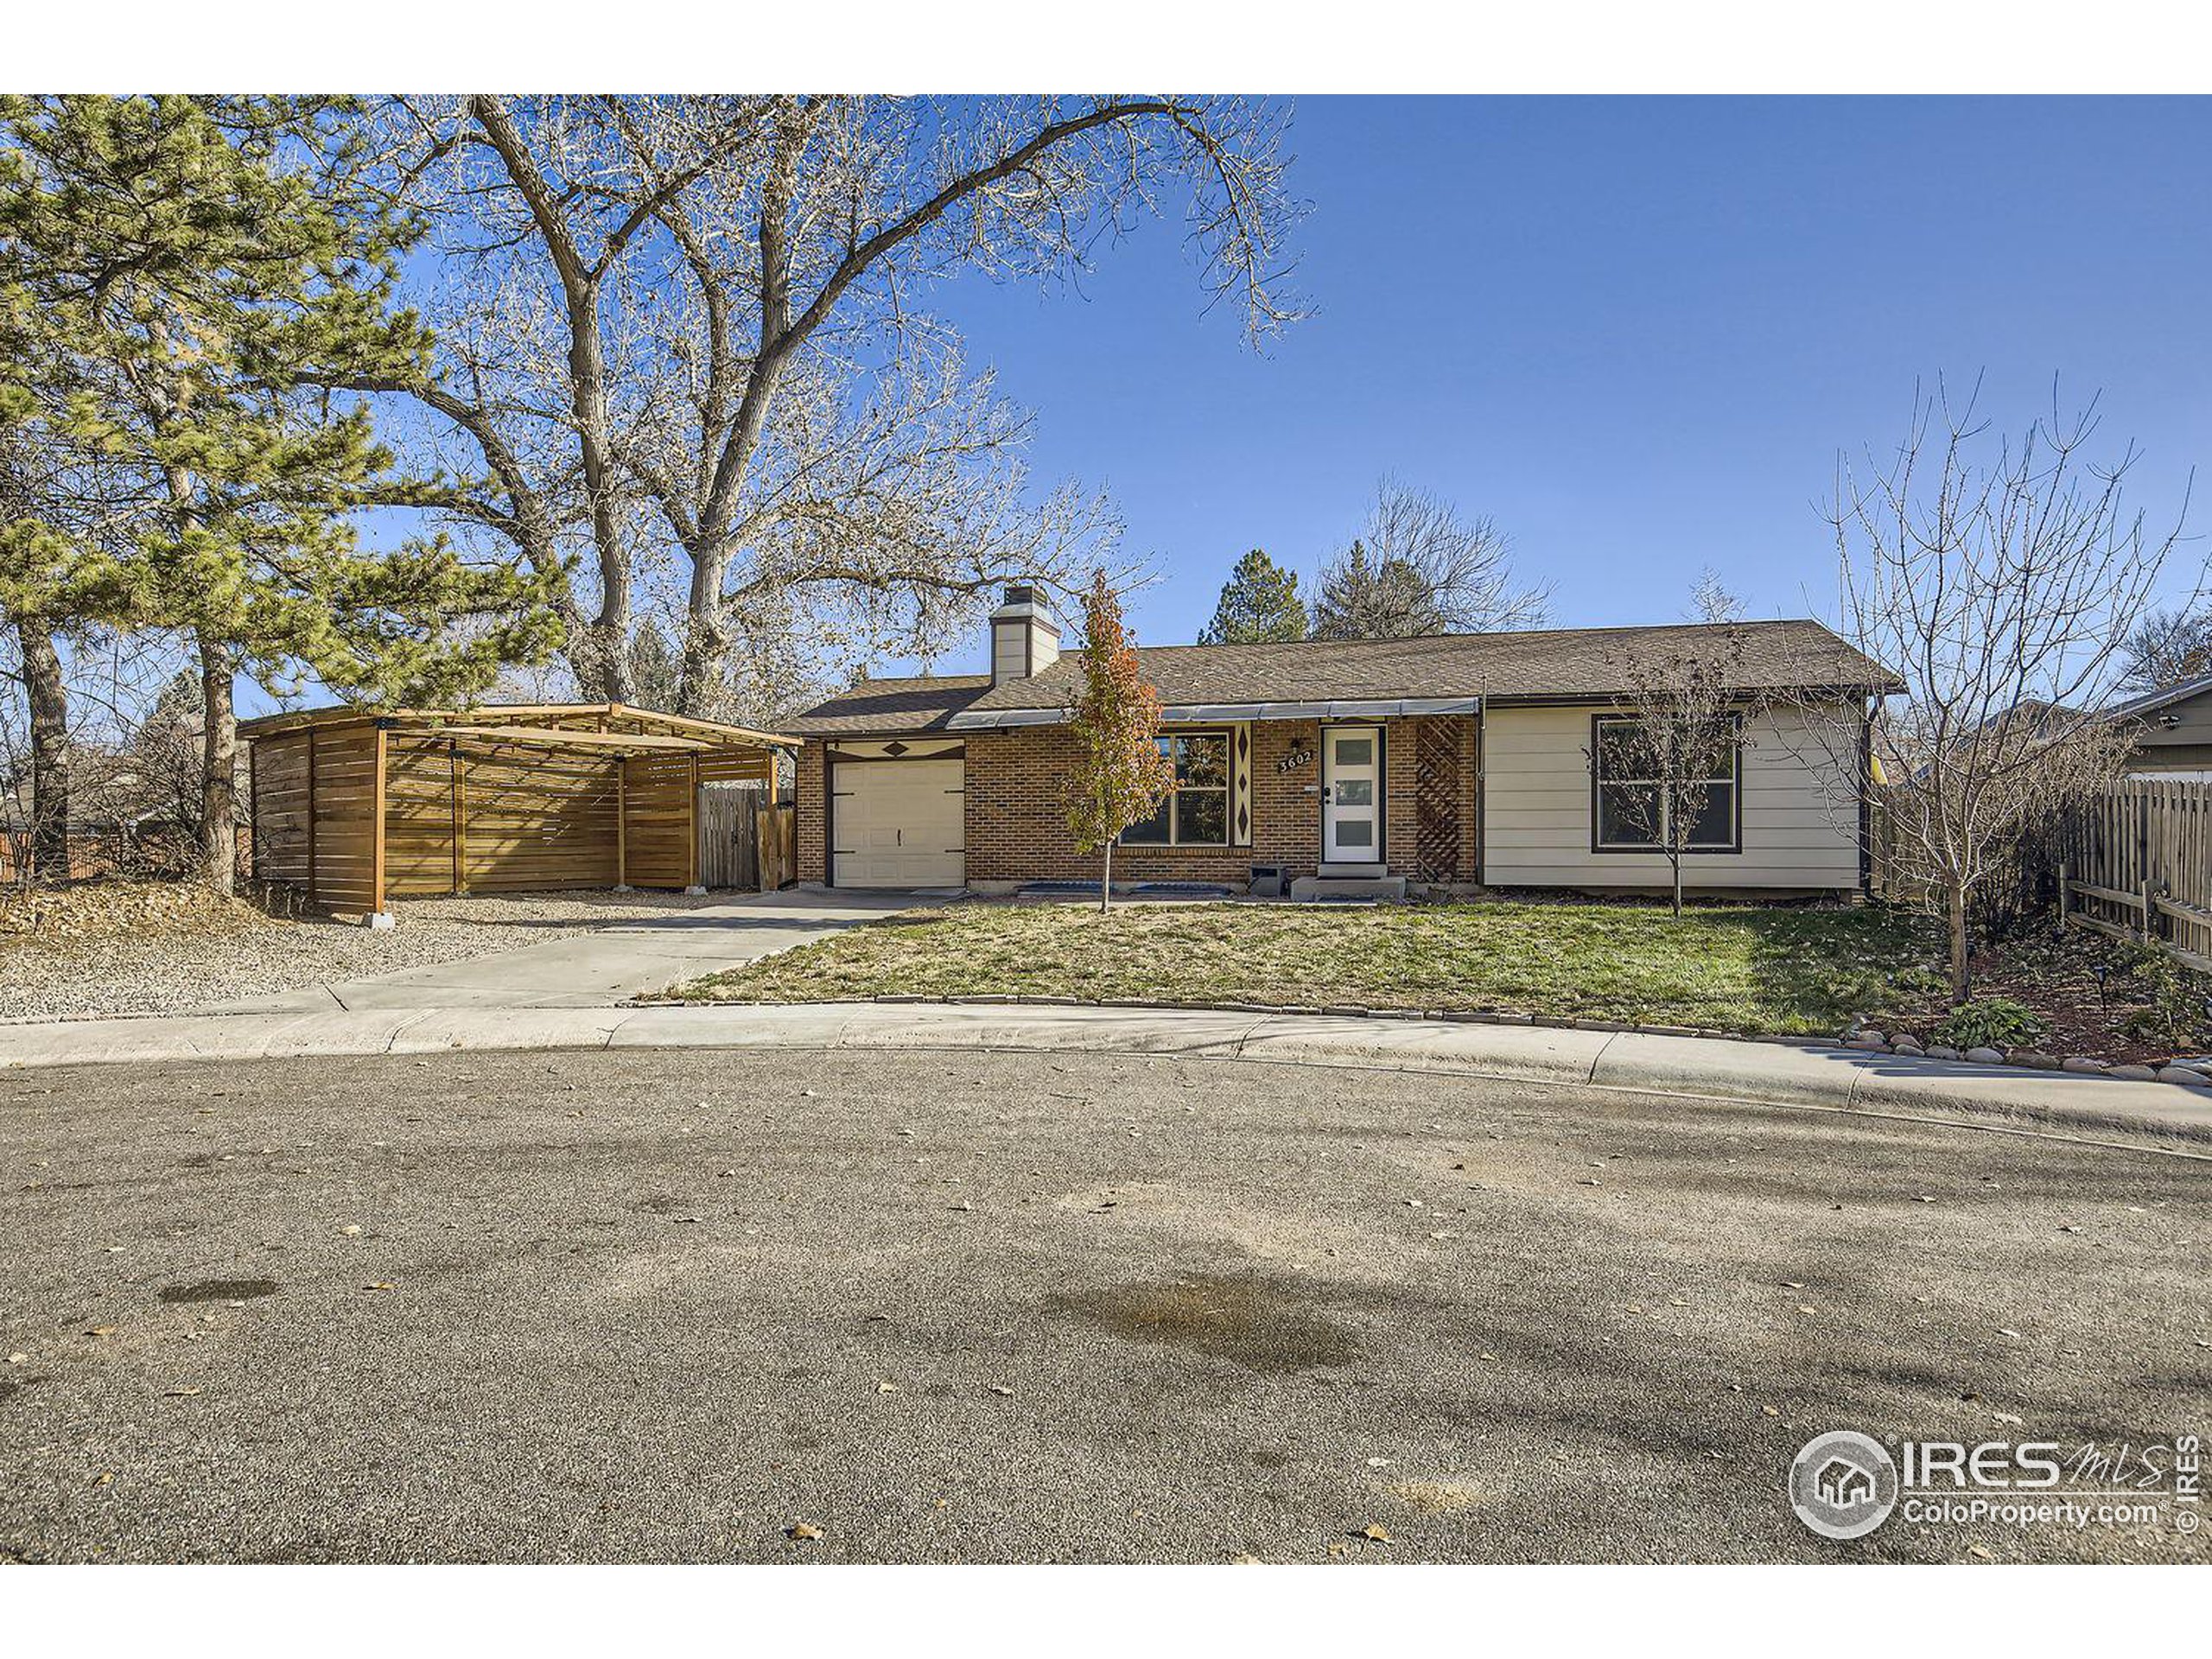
{"x":364,"y":806}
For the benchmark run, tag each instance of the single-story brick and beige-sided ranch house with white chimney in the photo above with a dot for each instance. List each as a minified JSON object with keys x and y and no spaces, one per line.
{"x":1434,"y":764}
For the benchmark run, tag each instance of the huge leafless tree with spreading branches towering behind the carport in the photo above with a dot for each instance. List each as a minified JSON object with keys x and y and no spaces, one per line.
{"x":685,"y":340}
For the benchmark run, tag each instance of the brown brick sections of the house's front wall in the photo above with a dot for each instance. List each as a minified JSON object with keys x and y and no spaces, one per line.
{"x":1019,"y":831}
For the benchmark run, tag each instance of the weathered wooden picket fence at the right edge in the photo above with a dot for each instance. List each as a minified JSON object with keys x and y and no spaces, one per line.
{"x":2138,"y":864}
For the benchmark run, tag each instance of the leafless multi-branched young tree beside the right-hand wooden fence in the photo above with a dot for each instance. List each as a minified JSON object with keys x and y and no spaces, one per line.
{"x":1999,"y":578}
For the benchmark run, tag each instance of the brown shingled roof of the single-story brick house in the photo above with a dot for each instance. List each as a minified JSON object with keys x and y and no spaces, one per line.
{"x":1441,"y":674}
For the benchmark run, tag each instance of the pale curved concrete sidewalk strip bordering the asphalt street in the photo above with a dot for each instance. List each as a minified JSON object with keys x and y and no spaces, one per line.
{"x":1757,"y":1072}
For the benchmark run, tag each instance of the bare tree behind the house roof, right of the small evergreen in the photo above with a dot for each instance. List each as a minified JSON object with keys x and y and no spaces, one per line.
{"x":1419,"y":567}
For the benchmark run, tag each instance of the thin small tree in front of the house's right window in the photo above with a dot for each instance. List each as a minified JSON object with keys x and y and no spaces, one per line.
{"x":1667,"y":764}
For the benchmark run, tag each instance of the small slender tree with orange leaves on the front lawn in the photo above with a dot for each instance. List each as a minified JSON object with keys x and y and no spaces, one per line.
{"x":1120,"y":775}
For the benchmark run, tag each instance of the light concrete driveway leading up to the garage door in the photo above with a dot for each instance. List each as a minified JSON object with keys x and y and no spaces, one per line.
{"x":605,"y":968}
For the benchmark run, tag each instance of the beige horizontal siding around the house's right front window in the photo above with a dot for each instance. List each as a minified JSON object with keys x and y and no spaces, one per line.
{"x":1536,"y":822}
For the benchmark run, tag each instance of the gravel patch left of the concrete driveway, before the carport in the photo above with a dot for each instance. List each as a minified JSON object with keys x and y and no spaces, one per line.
{"x":258,"y":954}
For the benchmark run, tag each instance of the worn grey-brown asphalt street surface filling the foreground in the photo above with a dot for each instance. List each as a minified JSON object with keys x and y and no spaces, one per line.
{"x":950,"y":1306}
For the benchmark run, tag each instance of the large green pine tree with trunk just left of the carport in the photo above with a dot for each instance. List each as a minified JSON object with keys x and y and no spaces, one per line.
{"x":196,"y":271}
